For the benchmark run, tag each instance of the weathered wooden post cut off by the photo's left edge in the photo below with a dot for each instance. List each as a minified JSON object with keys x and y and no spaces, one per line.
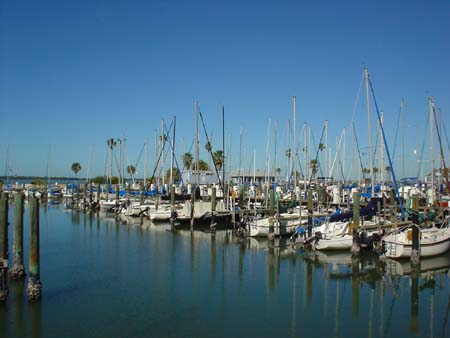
{"x":3,"y":247}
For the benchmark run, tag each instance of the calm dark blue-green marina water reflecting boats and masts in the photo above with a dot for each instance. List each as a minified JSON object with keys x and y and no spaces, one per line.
{"x":105,"y":278}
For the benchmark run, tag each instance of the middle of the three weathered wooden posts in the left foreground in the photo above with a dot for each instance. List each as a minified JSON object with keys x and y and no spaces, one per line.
{"x":18,"y":270}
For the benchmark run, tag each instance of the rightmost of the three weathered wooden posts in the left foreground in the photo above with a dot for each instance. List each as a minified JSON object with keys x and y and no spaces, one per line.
{"x":34,"y":283}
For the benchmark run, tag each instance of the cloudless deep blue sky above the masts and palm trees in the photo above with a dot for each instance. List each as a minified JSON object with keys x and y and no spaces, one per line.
{"x":75,"y":73}
